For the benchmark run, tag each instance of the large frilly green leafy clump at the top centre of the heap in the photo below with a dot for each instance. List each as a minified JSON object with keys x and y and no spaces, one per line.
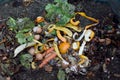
{"x":60,"y":12}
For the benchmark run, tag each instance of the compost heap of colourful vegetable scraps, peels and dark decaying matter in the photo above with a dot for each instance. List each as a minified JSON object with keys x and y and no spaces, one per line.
{"x":66,"y":42}
